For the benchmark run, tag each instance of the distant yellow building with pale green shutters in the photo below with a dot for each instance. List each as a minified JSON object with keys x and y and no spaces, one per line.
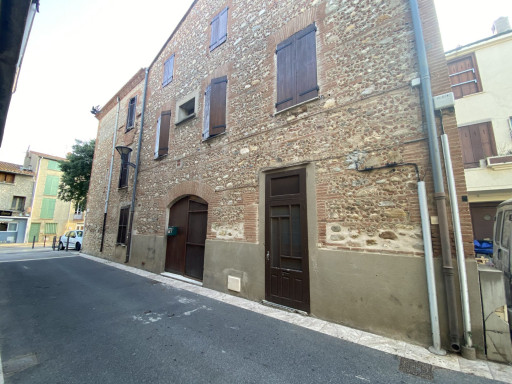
{"x":50,"y":216}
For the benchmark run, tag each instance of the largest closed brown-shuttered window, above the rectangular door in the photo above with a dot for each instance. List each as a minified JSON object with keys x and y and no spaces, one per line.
{"x":296,"y":69}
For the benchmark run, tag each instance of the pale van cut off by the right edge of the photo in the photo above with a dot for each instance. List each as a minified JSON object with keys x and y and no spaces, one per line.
{"x":503,"y":244}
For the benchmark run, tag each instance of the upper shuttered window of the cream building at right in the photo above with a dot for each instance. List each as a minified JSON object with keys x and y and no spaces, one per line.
{"x":464,"y":76}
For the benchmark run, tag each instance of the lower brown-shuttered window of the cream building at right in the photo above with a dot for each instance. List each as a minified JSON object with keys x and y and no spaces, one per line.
{"x":477,"y":143}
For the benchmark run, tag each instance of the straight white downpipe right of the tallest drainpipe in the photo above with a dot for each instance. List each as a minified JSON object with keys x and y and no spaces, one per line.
{"x":461,"y":262}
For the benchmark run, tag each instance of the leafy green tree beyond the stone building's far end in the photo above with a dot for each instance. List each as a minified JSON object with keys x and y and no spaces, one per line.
{"x":76,"y":173}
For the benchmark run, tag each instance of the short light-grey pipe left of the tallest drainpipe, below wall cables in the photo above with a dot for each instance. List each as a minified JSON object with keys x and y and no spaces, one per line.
{"x":429,"y":266}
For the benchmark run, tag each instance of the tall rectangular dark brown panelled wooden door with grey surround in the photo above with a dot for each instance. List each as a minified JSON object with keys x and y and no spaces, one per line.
{"x":286,"y":247}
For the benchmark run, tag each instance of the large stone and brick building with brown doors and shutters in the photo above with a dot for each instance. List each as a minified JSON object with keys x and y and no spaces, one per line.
{"x":281,"y":144}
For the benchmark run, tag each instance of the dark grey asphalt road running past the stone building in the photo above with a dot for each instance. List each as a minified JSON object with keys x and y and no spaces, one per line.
{"x":72,"y":320}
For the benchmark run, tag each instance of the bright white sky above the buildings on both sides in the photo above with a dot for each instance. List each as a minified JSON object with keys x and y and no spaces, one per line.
{"x":80,"y":53}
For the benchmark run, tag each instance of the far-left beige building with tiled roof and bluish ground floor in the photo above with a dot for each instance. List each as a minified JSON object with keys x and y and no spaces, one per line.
{"x":16,"y":183}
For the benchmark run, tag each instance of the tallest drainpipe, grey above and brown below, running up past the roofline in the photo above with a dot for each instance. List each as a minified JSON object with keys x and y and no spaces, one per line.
{"x":439,"y":195}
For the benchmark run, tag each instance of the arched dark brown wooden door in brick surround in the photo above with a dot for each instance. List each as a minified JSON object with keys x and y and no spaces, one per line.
{"x":185,"y":251}
